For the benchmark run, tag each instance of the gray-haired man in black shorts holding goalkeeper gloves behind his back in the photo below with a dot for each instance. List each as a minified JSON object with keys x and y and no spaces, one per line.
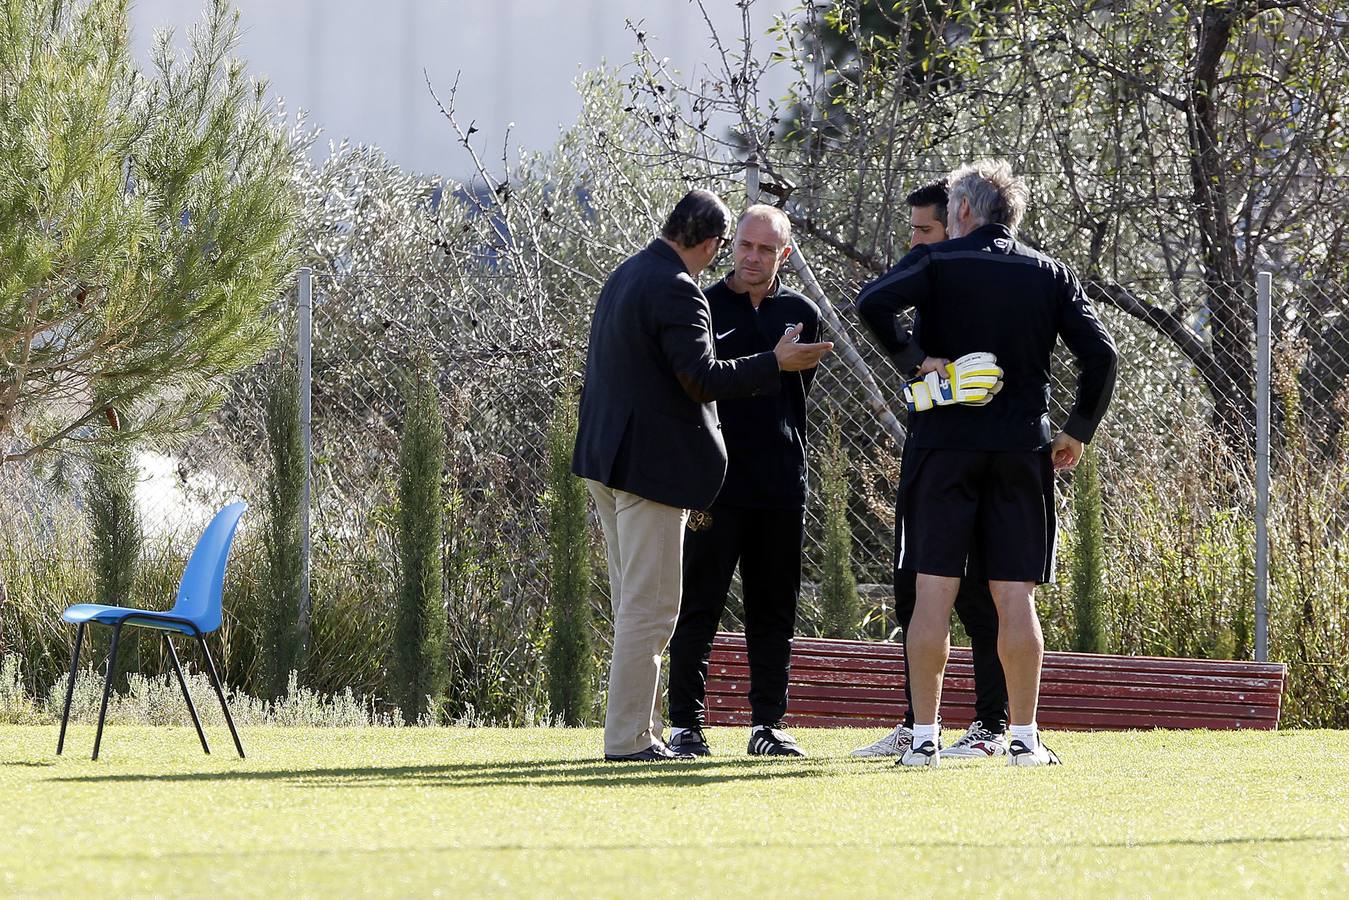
{"x":984,"y":472}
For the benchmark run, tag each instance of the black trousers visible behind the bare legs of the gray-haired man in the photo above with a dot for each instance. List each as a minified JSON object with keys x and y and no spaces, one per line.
{"x":980,"y":617}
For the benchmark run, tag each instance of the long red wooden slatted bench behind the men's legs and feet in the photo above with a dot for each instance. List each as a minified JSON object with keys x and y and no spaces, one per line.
{"x":860,"y":683}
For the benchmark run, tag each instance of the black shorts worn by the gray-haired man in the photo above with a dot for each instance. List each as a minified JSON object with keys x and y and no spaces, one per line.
{"x":1002,"y":503}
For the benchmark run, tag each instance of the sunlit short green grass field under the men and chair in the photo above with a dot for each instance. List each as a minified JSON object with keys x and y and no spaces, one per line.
{"x":453,"y":812}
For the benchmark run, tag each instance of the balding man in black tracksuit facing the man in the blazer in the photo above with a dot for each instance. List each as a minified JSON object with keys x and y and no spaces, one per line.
{"x":757,"y":517}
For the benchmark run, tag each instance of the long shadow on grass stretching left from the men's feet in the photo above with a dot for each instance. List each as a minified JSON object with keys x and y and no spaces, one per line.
{"x":462,"y":775}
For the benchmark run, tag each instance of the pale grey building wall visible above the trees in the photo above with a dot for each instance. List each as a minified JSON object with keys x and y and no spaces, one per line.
{"x":358,"y":67}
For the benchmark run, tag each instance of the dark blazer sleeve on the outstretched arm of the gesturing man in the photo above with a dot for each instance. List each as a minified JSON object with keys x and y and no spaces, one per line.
{"x":685,"y":331}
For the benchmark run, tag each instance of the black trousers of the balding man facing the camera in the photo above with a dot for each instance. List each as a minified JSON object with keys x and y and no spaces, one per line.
{"x":767,"y":543}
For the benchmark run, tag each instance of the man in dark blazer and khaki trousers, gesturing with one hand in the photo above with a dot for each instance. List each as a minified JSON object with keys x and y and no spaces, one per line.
{"x":650,"y":446}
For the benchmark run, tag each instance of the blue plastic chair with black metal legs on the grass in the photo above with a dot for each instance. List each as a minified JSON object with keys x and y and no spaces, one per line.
{"x":196,"y":613}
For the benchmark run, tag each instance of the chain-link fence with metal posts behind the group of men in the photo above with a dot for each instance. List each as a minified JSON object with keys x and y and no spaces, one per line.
{"x":1177,"y":472}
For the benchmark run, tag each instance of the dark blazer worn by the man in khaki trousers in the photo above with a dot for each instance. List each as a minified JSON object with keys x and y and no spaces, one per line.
{"x":648,"y":419}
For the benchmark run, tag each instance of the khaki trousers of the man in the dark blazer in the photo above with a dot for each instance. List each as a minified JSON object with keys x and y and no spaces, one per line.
{"x":645,"y":546}
